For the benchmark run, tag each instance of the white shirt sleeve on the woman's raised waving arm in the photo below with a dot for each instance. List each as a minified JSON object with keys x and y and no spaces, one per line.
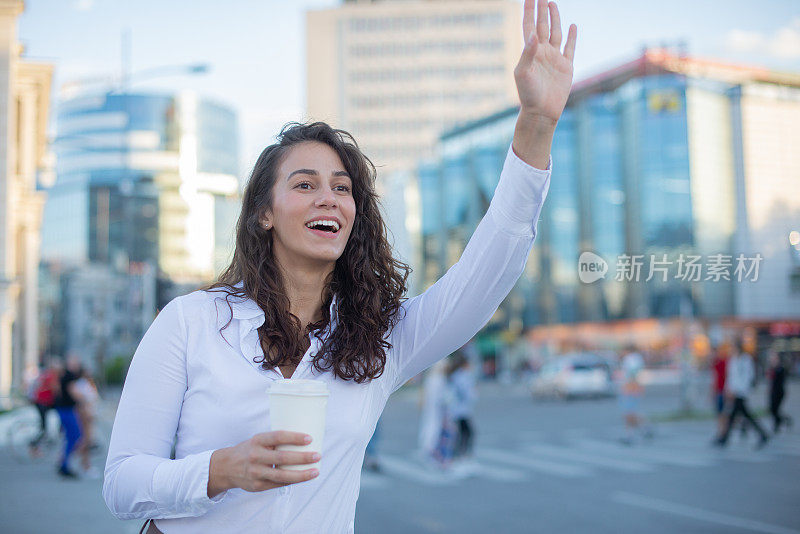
{"x":451,"y":311}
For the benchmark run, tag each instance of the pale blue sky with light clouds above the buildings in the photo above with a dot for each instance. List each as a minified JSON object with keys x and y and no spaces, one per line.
{"x":256,"y":48}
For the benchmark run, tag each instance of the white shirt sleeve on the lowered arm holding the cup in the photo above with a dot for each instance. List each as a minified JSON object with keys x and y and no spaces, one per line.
{"x":141,"y":482}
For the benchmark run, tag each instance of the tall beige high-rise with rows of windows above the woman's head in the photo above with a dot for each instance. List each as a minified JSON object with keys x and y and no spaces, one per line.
{"x":396,"y":73}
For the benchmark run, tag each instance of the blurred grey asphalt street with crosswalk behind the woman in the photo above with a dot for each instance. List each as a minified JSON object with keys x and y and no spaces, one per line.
{"x":540,"y":467}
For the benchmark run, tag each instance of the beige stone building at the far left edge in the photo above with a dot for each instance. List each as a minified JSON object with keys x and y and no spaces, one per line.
{"x":24,"y":109}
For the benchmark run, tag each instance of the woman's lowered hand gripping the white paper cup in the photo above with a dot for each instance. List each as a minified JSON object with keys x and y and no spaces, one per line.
{"x":253,"y":464}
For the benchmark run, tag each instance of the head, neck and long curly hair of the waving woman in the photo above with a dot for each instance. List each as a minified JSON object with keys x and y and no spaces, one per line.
{"x":316,"y":177}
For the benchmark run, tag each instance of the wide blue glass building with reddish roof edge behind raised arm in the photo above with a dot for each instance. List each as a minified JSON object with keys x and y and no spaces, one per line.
{"x":680,"y":173}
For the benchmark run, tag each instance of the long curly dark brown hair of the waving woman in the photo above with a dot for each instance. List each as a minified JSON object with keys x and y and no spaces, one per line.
{"x":368,"y":282}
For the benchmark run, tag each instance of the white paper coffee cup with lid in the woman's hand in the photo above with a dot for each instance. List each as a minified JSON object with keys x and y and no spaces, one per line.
{"x":299,"y":405}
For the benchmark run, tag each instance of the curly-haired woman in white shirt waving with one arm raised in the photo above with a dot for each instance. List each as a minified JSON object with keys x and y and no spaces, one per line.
{"x":321,"y":303}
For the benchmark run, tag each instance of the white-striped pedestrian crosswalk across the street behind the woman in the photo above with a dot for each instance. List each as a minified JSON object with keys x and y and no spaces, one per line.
{"x":578,"y":456}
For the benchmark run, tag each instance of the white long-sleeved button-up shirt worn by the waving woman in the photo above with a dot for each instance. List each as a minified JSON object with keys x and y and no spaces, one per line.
{"x":186,"y":379}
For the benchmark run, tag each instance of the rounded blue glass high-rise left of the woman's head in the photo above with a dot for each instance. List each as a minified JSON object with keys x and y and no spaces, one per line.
{"x":144,"y":178}
